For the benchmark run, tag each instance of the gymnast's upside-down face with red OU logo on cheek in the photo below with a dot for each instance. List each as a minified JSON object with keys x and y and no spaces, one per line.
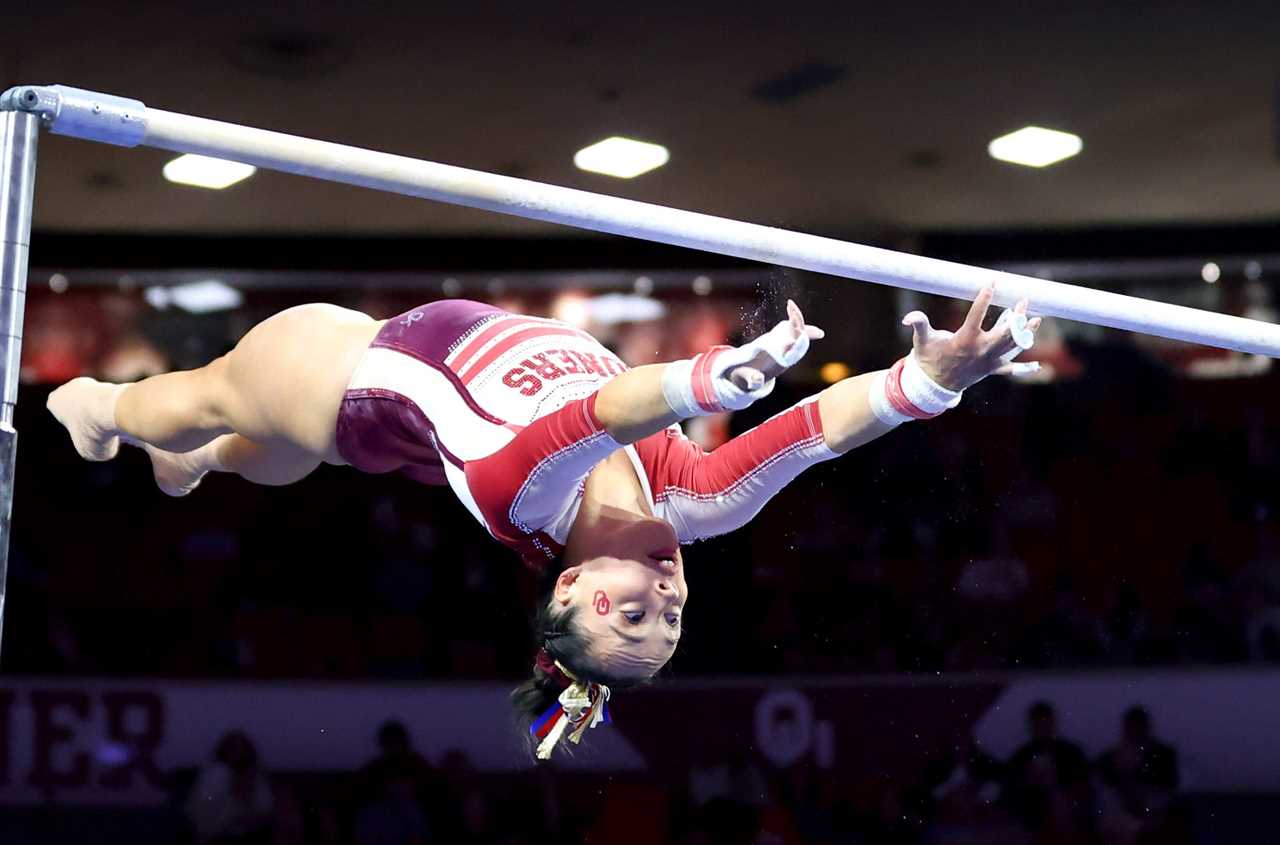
{"x":630,"y":596}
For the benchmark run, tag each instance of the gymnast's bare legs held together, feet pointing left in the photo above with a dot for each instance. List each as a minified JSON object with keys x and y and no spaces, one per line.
{"x":267,"y":410}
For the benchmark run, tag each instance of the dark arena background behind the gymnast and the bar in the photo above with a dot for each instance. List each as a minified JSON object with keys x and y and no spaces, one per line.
{"x":860,"y":663}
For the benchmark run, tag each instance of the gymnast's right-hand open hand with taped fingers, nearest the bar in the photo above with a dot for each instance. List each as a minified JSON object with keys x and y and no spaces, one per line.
{"x":963,"y":358}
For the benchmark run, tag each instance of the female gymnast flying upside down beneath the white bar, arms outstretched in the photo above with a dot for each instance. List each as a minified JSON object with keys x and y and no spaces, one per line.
{"x":555,"y":446}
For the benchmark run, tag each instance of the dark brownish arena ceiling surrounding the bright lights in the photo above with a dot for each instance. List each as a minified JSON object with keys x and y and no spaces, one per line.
{"x":830,"y":117}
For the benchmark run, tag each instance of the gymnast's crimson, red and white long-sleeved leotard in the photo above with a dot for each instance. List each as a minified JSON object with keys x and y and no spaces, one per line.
{"x":502,"y":408}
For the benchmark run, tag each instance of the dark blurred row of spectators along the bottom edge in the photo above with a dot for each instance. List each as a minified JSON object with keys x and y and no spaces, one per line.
{"x":1046,"y":792}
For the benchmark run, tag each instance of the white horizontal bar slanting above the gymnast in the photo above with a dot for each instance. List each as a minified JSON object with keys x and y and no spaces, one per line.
{"x":522,"y":198}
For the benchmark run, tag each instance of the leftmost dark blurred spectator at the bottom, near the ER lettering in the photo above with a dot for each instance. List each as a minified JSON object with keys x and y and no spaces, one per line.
{"x":232,"y":801}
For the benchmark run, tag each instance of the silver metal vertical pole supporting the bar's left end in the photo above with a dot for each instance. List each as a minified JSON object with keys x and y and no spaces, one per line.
{"x":19,"y":134}
